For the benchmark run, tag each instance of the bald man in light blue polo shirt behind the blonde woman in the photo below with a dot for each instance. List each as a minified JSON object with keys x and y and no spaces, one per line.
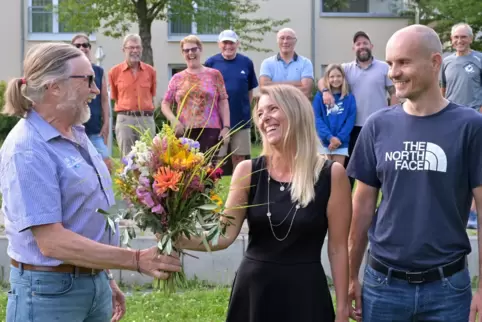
{"x":287,"y":67}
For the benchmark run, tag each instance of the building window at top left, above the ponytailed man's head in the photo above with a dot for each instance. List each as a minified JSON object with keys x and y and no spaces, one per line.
{"x":44,"y":20}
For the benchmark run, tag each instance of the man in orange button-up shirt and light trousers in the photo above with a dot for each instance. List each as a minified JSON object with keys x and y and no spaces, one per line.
{"x":133,"y":88}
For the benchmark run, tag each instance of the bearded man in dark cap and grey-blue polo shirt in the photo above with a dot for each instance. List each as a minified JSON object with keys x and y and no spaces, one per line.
{"x":369,"y":83}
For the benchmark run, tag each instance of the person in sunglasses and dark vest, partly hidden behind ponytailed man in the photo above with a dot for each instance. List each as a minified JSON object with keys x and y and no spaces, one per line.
{"x":97,"y":127}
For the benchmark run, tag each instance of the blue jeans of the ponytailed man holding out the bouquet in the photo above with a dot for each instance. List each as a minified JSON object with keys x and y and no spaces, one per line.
{"x":47,"y":296}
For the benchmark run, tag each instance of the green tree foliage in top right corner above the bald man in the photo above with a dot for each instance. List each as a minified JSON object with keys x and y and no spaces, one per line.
{"x":443,"y":14}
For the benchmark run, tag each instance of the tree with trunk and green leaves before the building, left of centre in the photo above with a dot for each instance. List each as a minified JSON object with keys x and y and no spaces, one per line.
{"x":116,"y":17}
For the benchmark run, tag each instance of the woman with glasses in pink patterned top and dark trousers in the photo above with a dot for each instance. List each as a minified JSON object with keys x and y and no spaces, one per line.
{"x":201,"y":93}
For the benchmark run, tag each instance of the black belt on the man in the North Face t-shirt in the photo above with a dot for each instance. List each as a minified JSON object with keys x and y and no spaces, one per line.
{"x":427,"y":276}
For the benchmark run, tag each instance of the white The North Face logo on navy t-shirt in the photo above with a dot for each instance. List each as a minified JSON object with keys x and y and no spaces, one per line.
{"x":418,"y":156}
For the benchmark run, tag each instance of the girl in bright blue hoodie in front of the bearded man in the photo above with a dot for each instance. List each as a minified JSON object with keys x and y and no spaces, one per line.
{"x":335,"y":123}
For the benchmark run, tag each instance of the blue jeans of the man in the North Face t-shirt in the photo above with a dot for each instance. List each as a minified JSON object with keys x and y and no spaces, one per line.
{"x":387,"y":299}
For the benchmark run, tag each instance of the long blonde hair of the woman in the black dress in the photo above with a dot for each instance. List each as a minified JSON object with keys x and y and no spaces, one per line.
{"x":300,"y":139}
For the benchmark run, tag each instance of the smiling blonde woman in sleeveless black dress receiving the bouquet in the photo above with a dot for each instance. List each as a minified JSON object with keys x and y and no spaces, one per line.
{"x":291,"y":196}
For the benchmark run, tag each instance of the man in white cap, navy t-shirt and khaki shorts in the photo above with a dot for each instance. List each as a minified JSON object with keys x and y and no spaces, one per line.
{"x":240,"y":80}
